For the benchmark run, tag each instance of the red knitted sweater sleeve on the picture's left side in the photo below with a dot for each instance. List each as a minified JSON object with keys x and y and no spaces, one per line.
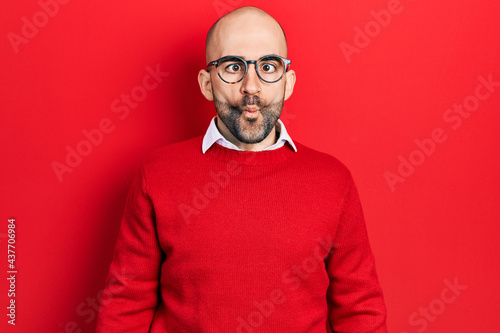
{"x":130,"y":297}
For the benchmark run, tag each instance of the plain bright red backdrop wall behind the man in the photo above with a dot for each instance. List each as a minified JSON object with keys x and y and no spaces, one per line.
{"x":440,"y":224}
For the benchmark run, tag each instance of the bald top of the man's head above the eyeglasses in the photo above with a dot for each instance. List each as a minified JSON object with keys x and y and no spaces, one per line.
{"x":237,"y":31}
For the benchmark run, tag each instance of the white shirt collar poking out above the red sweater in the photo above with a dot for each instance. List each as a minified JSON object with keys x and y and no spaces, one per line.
{"x":214,"y":136}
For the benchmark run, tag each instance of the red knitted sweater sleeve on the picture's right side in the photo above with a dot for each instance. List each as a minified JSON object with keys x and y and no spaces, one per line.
{"x":355,"y":299}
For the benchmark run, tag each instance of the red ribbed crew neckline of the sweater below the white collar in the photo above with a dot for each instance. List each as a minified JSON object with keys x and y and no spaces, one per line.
{"x":244,"y":157}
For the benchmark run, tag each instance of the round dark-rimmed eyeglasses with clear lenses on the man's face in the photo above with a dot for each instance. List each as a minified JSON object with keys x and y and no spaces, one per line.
{"x":232,"y":69}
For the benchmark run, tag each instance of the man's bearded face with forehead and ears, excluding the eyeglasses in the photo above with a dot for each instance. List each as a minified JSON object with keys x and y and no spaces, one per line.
{"x":250,"y":108}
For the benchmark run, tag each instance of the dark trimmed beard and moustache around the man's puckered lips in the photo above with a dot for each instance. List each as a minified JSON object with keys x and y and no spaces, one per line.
{"x":249,"y":130}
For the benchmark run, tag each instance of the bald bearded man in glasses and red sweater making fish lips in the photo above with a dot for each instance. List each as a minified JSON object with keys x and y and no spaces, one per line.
{"x":242,"y":229}
